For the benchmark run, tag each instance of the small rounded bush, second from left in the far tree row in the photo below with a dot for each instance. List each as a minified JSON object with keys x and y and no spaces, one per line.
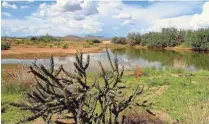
{"x":134,"y":39}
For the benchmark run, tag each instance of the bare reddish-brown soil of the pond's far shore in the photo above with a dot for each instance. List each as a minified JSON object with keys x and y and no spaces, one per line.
{"x":32,"y":52}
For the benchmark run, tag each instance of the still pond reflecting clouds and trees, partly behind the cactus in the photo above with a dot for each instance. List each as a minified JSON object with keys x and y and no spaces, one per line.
{"x":130,"y":58}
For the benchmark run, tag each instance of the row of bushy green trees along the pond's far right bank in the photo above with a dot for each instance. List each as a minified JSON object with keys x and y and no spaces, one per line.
{"x":168,"y":37}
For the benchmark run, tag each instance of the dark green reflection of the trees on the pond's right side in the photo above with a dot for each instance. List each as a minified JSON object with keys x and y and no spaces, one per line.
{"x":167,"y":58}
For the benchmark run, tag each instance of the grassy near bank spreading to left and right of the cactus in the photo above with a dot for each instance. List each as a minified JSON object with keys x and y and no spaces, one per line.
{"x":176,"y":95}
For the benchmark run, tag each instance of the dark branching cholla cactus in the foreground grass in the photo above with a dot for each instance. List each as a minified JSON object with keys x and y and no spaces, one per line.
{"x":87,"y":102}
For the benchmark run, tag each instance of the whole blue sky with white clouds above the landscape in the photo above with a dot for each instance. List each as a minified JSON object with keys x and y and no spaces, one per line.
{"x":100,"y":18}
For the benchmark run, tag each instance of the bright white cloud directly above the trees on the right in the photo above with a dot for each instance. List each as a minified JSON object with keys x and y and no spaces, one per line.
{"x":194,"y":22}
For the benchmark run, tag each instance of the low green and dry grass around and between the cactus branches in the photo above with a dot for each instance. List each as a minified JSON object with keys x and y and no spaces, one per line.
{"x":177,"y":96}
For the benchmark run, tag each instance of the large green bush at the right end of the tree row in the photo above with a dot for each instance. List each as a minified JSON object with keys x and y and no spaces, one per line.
{"x":198,"y":40}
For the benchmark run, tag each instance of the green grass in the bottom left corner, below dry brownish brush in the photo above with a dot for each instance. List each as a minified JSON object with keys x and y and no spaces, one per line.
{"x":12,"y":93}
